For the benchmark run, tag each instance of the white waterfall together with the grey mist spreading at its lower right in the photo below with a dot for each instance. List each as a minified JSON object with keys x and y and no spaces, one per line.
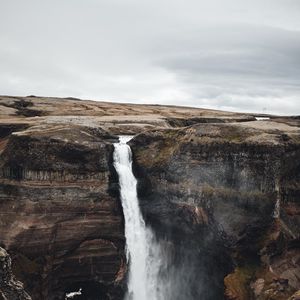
{"x":152,"y":272}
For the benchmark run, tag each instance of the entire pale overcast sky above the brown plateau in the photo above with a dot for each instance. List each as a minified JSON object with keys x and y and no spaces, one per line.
{"x":225,"y":54}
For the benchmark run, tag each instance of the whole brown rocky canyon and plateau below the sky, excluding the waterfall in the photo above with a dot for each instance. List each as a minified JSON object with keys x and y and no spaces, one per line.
{"x":220,"y":190}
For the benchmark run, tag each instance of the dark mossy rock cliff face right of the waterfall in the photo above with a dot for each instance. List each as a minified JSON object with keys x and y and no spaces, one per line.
{"x":226,"y":194}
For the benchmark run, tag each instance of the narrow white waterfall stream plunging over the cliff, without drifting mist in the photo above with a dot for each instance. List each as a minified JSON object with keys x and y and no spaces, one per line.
{"x":142,"y":251}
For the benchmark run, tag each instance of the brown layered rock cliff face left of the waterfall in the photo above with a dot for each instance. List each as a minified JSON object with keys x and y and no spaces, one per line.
{"x":60,"y":216}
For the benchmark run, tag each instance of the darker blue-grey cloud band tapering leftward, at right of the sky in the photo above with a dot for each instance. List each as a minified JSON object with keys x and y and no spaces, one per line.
{"x":271,"y":52}
